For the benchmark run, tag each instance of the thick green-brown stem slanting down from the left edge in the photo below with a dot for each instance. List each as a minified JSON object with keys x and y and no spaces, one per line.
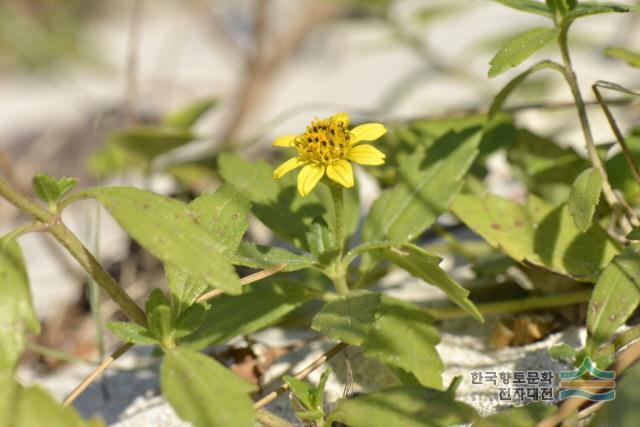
{"x":54,"y":226}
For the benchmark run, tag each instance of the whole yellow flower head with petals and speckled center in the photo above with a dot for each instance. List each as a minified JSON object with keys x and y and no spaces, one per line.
{"x":328,"y":146}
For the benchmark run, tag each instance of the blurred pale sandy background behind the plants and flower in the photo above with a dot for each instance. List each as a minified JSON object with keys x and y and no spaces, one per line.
{"x":74,"y":73}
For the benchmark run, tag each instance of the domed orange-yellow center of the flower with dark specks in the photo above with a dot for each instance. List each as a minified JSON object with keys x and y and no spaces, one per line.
{"x":324,"y":142}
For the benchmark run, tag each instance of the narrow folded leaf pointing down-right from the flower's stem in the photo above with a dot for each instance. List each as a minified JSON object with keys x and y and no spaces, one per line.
{"x":425,"y":266}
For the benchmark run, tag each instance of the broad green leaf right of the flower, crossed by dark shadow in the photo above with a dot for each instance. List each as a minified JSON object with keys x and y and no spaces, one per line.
{"x":428,"y":182}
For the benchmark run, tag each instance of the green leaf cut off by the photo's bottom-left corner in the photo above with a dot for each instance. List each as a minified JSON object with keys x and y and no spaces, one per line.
{"x":33,"y":407}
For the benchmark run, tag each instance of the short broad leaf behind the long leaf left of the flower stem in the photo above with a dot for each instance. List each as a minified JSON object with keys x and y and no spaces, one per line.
{"x":224,"y":215}
